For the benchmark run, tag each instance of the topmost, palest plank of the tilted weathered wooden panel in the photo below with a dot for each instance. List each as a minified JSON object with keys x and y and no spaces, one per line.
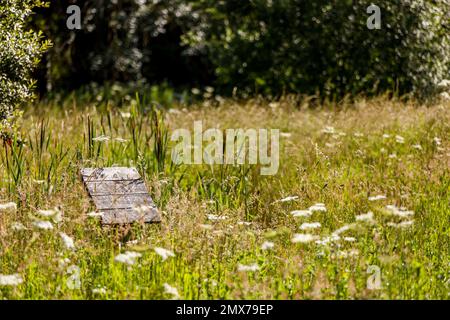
{"x":110,"y":174}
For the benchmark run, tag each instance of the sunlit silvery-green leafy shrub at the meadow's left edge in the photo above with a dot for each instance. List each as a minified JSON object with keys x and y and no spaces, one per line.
{"x":20,"y":50}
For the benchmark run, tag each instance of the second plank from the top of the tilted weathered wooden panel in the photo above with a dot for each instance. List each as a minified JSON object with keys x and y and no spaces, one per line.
{"x":116,"y":187}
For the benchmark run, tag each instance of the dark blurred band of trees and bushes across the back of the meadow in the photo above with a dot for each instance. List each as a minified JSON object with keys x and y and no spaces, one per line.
{"x":259,"y":46}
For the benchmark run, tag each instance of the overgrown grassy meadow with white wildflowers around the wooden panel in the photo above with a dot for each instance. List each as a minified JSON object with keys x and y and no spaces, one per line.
{"x":362,"y":188}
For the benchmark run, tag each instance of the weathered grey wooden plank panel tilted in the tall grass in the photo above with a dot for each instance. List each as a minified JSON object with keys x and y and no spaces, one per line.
{"x":120,"y":195}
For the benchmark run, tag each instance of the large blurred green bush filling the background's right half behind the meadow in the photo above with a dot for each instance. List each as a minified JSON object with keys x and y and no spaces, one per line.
{"x":325,"y":46}
